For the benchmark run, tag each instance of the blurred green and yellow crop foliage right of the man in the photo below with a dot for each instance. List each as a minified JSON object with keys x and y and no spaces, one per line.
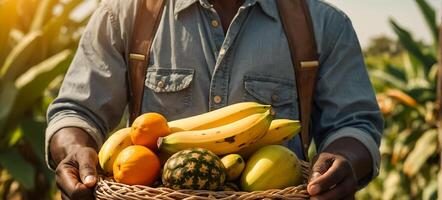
{"x":406,"y":86}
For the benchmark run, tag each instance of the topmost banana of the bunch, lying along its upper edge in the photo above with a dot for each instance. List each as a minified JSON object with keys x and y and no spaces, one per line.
{"x":218,"y":117}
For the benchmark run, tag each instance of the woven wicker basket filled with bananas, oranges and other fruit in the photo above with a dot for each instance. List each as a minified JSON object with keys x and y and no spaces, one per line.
{"x":231,"y":153}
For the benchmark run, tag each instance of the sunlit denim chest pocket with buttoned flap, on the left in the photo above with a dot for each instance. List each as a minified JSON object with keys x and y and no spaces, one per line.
{"x":168,"y":91}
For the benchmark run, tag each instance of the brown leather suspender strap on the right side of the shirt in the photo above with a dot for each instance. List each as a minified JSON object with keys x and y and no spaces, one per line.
{"x":298,"y":28}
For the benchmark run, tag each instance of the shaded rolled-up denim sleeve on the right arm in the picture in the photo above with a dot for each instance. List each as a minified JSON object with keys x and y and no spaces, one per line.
{"x":345,"y":103}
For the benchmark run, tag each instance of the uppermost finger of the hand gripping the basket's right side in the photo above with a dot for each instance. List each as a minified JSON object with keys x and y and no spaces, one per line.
{"x":335,"y":174}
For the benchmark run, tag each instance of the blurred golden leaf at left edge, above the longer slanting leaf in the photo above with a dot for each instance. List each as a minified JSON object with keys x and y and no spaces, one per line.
{"x":15,"y":63}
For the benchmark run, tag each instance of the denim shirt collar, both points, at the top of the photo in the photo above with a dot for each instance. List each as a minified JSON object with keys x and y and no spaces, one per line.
{"x":268,"y":6}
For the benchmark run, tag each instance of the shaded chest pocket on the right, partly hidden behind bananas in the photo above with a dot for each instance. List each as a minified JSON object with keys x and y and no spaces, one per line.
{"x":280,"y":93}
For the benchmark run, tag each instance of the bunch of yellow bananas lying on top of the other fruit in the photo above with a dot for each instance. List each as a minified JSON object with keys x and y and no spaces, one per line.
{"x":240,"y":128}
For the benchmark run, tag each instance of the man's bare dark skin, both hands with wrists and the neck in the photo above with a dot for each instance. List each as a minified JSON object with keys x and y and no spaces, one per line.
{"x":335,"y":171}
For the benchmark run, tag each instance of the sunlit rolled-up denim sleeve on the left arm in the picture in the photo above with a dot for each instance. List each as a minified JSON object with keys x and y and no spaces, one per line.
{"x":93,"y":95}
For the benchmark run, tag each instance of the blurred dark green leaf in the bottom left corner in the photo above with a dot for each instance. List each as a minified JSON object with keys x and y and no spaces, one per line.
{"x":19,"y":168}
